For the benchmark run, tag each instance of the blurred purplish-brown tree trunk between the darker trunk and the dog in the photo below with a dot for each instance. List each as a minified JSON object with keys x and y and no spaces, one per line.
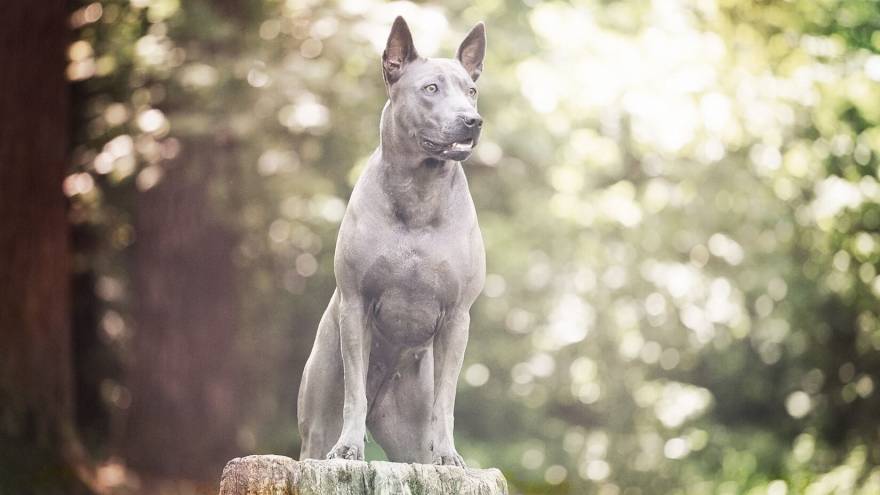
{"x":184,"y":381}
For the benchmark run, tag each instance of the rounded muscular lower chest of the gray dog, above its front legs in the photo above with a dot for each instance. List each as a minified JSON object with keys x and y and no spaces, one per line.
{"x":412,"y":283}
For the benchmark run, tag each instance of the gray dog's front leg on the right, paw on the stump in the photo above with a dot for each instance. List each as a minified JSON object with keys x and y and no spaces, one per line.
{"x":449,"y":346}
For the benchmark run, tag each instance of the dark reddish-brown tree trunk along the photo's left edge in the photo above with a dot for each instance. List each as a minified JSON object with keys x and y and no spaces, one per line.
{"x":36,"y":413}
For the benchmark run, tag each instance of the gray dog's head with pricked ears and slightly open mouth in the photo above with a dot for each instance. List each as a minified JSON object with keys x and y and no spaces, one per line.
{"x":434,"y":100}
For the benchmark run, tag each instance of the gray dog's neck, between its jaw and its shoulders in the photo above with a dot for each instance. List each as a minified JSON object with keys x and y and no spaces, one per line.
{"x":419,"y":187}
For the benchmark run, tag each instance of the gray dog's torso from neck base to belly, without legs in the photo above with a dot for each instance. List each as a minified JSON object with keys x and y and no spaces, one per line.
{"x":413,"y":263}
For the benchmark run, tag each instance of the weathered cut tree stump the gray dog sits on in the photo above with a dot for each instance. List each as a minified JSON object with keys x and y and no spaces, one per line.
{"x":278,"y":475}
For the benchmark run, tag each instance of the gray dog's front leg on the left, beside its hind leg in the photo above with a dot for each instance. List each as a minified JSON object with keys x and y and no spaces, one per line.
{"x":354,"y":340}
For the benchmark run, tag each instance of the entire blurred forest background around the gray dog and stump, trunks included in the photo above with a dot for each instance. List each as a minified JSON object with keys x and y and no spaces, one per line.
{"x":679,"y":201}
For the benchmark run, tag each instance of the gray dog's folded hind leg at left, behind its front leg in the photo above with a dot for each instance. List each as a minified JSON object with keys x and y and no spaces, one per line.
{"x":320,"y":401}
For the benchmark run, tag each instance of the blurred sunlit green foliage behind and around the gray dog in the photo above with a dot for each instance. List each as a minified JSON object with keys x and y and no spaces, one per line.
{"x":679,"y":203}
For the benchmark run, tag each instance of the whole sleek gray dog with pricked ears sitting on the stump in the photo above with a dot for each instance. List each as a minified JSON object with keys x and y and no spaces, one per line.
{"x":409,"y":264}
